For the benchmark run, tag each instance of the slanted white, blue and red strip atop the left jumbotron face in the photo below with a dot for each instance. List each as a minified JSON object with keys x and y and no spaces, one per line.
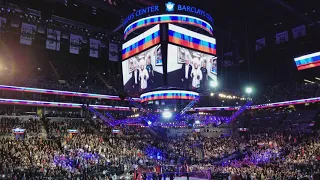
{"x":142,"y":42}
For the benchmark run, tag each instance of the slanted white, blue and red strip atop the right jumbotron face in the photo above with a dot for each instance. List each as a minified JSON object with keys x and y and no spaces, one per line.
{"x":192,"y":40}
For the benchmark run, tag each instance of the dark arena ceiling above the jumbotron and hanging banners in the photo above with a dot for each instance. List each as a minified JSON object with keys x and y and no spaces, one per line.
{"x":237,"y":17}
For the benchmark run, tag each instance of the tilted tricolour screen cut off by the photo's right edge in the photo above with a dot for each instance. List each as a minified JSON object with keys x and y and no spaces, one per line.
{"x":308,"y":61}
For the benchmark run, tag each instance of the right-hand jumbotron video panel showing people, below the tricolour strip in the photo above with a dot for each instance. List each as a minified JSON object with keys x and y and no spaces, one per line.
{"x":190,"y":69}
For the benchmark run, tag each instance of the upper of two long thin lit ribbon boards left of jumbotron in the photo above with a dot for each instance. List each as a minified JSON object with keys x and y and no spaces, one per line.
{"x":58,"y":92}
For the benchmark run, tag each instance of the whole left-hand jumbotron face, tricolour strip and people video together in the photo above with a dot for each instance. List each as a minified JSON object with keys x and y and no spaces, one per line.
{"x":142,"y":68}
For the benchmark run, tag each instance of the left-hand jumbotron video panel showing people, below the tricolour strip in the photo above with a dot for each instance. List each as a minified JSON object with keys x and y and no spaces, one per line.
{"x":143,"y":71}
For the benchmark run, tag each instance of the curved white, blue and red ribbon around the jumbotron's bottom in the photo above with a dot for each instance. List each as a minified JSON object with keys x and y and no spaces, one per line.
{"x":169,"y":94}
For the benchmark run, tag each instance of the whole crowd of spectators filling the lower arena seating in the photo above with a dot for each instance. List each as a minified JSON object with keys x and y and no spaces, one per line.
{"x":94,"y":149}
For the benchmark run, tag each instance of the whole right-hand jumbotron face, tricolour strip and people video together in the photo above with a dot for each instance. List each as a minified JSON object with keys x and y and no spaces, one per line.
{"x":192,"y":63}
